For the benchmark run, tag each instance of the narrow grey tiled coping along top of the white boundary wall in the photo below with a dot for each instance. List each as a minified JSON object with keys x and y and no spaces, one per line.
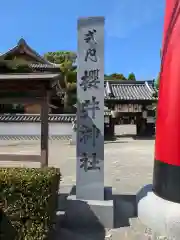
{"x":64,"y":118}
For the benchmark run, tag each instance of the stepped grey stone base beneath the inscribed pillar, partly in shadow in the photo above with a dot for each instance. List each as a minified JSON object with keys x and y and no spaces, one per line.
{"x":86,"y":213}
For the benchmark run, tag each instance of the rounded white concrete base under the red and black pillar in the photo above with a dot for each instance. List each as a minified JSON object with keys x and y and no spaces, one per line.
{"x":162,"y":216}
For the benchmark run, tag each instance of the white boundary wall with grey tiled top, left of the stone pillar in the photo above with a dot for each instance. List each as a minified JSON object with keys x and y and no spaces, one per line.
{"x":29,"y":125}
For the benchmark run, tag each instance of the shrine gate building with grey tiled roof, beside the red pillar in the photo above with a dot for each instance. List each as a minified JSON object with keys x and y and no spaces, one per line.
{"x":132,"y":102}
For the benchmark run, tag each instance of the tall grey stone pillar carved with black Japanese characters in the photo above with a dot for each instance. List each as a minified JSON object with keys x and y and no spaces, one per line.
{"x":90,"y":109}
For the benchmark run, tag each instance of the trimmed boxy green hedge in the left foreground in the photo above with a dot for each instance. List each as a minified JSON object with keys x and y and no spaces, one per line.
{"x":28,"y":201}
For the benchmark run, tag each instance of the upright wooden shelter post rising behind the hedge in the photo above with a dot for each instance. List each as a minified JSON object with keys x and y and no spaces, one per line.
{"x":44,"y":129}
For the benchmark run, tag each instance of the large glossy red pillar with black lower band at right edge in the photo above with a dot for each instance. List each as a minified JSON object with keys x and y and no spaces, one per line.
{"x":166,"y":182}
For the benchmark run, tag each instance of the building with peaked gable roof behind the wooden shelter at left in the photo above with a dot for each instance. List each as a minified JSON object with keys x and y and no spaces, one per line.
{"x":33,"y":63}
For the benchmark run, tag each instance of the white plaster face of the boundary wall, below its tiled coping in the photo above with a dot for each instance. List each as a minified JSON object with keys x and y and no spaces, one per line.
{"x":24,"y":129}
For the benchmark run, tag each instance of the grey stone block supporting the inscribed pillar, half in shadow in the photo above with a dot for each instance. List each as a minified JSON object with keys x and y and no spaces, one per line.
{"x":88,"y":213}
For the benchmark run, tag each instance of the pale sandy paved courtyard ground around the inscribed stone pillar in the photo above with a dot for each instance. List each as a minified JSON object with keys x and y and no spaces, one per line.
{"x":128,"y":167}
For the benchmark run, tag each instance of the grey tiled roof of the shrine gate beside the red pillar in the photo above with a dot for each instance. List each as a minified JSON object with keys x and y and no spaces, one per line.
{"x":129,"y":90}
